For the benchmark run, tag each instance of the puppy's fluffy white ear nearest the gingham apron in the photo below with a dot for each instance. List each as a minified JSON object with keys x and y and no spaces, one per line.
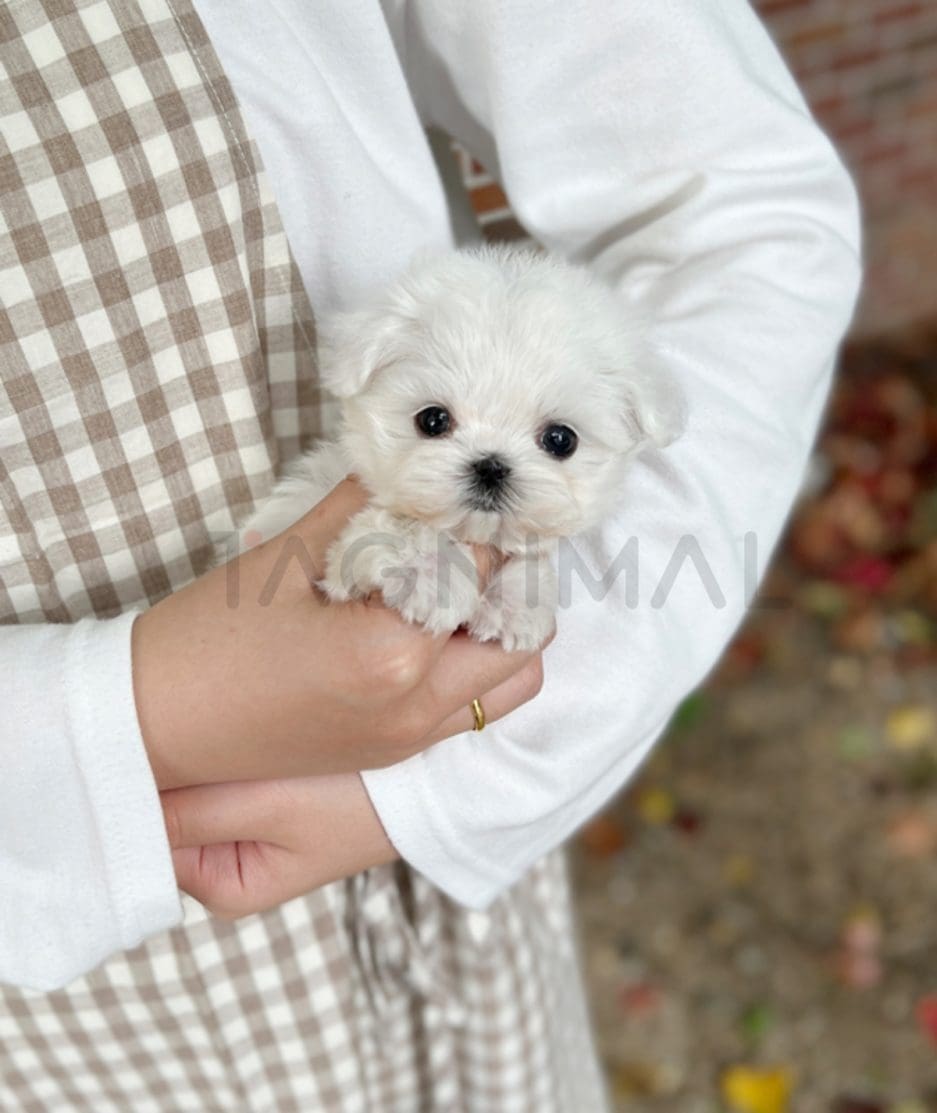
{"x":354,"y":344}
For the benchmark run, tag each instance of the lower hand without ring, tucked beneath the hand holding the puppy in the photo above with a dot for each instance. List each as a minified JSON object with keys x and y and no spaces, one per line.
{"x":243,"y":848}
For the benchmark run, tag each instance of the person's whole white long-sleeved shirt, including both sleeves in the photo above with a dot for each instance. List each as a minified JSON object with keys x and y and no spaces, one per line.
{"x":667,"y":146}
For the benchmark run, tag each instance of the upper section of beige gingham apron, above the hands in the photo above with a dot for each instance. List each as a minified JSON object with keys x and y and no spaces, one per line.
{"x":156,"y":347}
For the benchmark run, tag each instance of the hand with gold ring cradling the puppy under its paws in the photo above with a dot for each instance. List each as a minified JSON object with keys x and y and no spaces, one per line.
{"x":285,"y":685}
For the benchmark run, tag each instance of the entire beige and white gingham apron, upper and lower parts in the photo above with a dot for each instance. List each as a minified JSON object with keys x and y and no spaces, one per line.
{"x":156,"y":365}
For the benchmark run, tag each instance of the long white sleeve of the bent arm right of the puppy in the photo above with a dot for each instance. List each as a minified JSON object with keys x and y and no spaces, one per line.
{"x":666,"y":145}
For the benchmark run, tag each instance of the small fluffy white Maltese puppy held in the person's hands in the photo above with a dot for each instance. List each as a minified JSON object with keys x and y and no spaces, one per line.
{"x":494,"y":396}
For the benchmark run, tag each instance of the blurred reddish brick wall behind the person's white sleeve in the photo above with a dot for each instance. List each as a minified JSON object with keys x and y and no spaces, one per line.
{"x":869,"y":70}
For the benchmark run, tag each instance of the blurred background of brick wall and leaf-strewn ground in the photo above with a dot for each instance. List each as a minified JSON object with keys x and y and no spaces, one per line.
{"x":760,"y":911}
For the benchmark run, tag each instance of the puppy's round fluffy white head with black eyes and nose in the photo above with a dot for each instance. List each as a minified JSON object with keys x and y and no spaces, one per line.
{"x":496,"y":393}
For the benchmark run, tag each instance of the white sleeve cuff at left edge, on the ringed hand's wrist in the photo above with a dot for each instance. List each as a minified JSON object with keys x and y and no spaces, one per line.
{"x":85,"y":863}
